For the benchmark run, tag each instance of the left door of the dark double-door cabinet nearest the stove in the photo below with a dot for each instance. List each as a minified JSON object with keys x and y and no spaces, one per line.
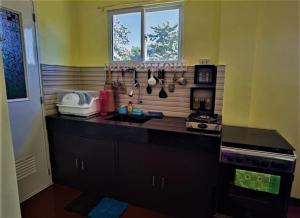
{"x":137,"y":182}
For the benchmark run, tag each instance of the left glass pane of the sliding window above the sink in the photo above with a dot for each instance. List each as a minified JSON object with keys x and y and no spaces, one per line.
{"x":127,"y":37}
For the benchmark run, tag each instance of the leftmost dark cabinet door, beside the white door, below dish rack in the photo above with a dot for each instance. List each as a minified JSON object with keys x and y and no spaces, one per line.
{"x":65,"y":159}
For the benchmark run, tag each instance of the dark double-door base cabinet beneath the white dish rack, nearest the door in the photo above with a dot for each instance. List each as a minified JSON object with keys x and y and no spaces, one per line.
{"x":82,"y":163}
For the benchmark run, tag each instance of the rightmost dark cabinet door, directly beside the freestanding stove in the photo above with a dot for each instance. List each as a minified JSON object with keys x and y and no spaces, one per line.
{"x":187,"y":180}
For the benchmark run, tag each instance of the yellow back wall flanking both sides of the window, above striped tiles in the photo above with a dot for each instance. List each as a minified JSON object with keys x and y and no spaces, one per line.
{"x":200,"y":22}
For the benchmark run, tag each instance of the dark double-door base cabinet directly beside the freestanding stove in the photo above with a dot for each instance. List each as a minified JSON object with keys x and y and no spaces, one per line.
{"x":179,"y":182}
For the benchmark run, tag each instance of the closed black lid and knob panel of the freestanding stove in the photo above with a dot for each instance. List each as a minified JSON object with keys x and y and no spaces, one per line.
{"x":257,"y":148}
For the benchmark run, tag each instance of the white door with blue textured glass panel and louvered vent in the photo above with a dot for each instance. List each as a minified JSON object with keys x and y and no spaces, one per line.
{"x":21,"y":68}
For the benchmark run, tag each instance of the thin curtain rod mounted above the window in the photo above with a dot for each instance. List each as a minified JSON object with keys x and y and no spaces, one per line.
{"x":138,"y":4}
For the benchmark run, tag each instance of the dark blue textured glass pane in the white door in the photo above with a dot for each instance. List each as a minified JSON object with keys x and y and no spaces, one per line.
{"x":12,"y":54}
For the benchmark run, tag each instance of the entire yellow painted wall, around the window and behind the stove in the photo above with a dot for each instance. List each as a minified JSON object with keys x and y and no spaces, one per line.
{"x":257,"y":41}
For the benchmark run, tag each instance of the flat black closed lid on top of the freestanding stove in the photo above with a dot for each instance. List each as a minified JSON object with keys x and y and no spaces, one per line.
{"x":253,"y":138}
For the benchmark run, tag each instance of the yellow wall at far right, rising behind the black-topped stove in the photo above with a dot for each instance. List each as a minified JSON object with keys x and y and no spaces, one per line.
{"x":275,"y":82}
